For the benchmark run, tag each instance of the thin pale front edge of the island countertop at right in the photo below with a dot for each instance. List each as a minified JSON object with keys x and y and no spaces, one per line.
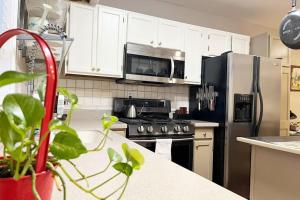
{"x":268,"y":145}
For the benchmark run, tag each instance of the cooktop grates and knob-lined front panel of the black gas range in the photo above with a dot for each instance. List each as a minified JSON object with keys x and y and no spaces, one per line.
{"x":157,"y":128}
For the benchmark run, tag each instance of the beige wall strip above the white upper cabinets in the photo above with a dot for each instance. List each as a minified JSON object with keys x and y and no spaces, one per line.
{"x":182,"y":14}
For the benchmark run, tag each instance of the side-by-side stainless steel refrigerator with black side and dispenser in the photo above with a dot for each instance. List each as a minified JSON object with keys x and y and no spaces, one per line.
{"x":247,"y":104}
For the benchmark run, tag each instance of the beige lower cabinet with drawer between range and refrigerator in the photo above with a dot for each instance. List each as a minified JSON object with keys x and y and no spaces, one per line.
{"x":203,"y":152}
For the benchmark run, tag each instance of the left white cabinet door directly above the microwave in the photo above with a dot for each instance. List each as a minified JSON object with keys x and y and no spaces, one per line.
{"x":142,"y":29}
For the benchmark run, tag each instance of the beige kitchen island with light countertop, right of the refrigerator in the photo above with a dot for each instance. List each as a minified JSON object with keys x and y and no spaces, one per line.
{"x":275,"y":163}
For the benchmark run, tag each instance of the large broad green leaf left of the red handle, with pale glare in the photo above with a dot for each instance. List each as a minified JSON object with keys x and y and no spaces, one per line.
{"x":23,"y":110}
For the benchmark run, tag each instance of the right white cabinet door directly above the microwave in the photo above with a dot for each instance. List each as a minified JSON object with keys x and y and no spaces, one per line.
{"x":170,"y":34}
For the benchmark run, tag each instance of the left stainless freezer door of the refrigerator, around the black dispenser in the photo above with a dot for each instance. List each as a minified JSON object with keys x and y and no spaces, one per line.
{"x":237,"y":154}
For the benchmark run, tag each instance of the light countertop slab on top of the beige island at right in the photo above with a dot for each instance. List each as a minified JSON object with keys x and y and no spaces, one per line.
{"x":290,"y":144}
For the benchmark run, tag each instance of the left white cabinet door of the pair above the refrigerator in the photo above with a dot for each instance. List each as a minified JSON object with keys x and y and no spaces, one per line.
{"x":218,"y":43}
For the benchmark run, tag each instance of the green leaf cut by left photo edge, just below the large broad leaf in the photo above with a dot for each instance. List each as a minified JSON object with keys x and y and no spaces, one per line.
{"x":8,"y":136}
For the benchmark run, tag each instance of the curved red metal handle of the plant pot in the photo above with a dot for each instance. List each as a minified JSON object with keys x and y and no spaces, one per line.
{"x":50,"y":95}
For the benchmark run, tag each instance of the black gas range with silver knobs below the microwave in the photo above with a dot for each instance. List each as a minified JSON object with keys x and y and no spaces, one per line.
{"x":152,"y":125}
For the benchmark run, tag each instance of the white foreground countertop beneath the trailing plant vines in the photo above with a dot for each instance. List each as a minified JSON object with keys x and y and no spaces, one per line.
{"x":158,"y":179}
